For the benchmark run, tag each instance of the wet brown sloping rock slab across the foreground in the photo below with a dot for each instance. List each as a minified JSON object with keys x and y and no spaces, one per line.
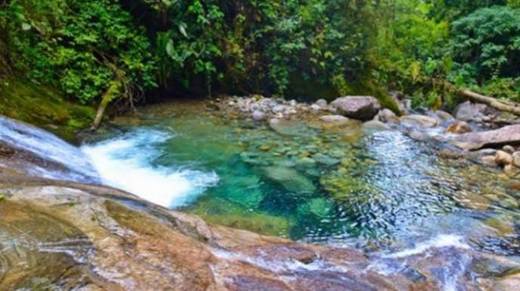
{"x":68,"y":235}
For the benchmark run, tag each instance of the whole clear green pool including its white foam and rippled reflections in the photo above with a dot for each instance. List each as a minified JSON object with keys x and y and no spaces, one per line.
{"x":309,"y":181}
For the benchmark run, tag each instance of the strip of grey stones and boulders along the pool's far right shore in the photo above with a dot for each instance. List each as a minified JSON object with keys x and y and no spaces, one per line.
{"x":477,"y":132}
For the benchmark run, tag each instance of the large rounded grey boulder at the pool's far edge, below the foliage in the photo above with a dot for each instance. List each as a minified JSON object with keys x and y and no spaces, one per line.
{"x":357,"y":107}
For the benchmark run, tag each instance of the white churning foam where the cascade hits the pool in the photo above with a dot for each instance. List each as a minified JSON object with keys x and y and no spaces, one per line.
{"x":125,"y":162}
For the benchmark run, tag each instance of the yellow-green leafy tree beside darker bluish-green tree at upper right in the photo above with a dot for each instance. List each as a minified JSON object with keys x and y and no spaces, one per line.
{"x":410,"y":45}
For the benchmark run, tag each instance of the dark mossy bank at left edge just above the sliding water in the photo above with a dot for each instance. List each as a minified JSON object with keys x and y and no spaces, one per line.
{"x":43,"y":107}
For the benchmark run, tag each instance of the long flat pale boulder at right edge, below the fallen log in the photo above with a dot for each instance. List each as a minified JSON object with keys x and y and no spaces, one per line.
{"x":498,"y":137}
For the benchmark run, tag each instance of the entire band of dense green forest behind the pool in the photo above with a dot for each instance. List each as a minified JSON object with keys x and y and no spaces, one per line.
{"x":96,"y":51}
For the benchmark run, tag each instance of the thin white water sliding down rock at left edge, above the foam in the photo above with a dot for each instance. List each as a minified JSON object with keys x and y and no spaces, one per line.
{"x":74,"y":165}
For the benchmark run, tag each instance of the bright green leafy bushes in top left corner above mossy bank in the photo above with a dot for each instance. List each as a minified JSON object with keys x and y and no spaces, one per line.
{"x":78,"y":46}
